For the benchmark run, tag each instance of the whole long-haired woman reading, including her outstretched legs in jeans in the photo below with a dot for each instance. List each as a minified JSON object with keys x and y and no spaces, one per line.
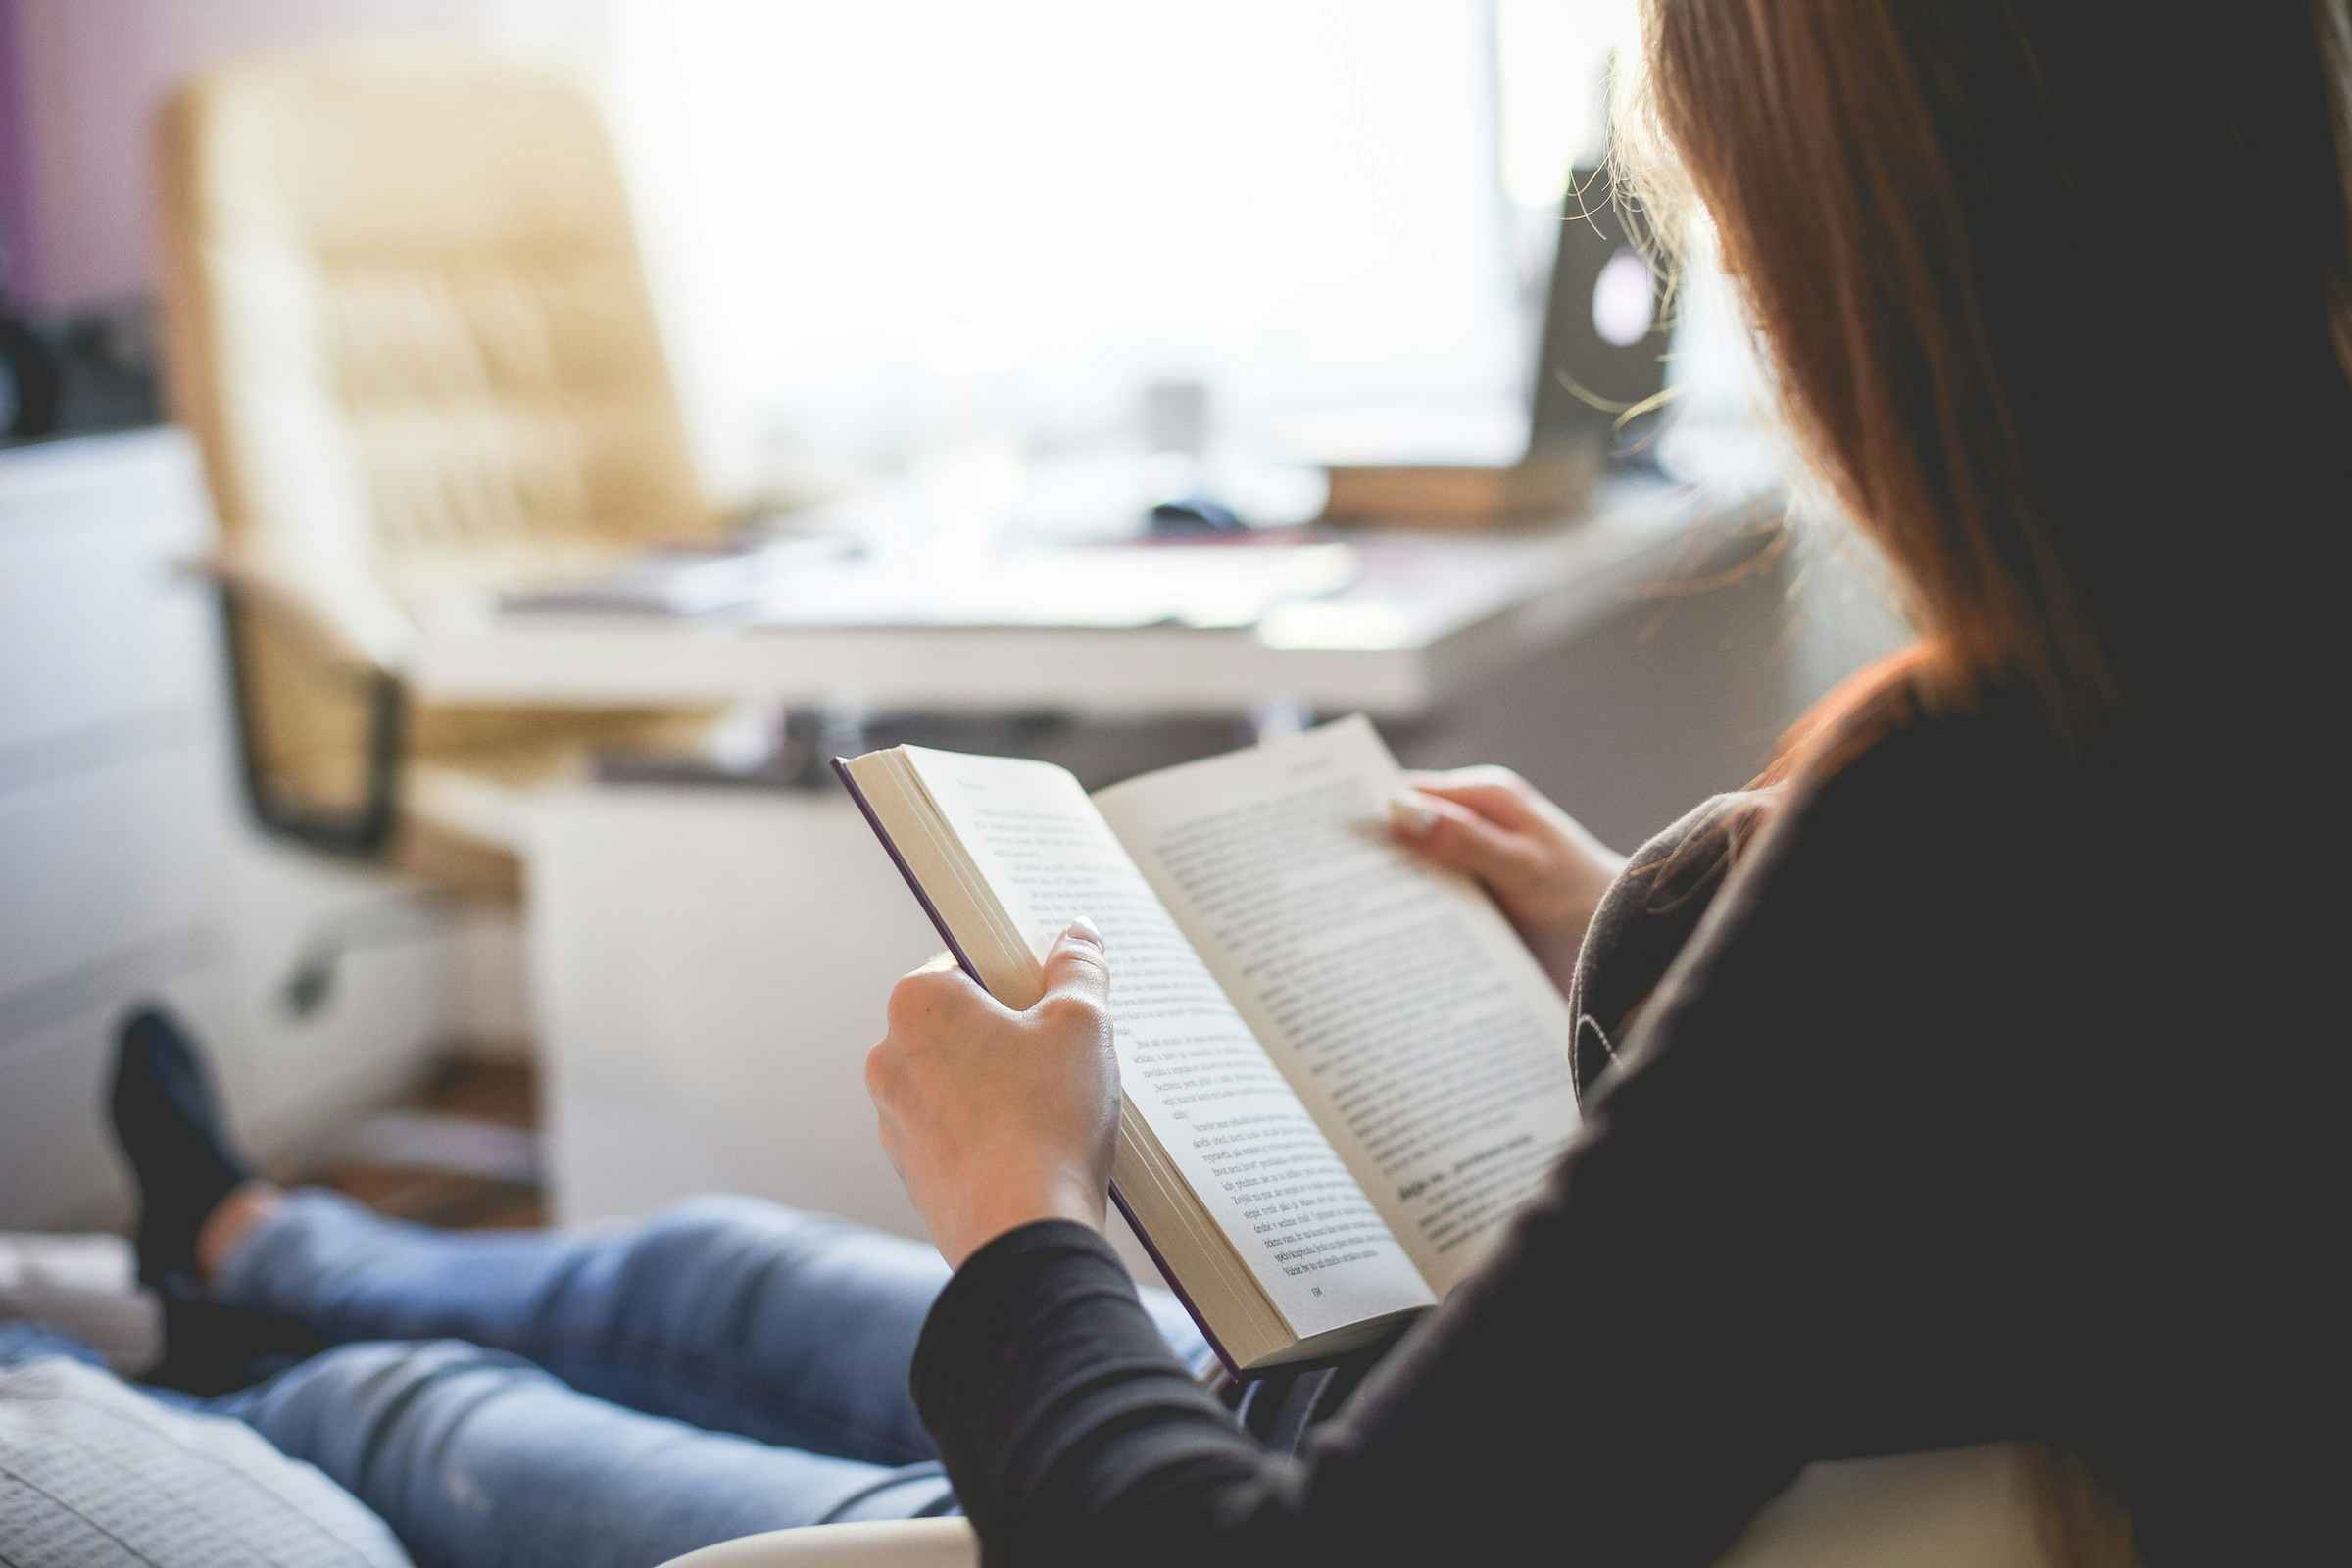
{"x":1932,"y":1092}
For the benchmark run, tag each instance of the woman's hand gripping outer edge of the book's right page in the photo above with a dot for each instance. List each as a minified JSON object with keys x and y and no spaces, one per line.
{"x":1537,"y":862}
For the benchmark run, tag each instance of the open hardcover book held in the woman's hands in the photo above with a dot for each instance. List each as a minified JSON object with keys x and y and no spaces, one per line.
{"x":1342,"y":1068}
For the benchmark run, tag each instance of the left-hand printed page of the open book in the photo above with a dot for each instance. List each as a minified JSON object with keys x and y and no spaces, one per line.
{"x":1189,"y":1061}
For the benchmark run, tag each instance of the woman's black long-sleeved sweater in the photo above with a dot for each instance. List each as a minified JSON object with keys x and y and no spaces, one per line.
{"x":1897,"y":1158}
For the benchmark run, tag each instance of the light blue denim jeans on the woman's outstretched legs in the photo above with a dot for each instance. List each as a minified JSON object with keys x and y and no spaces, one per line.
{"x":608,"y":1398}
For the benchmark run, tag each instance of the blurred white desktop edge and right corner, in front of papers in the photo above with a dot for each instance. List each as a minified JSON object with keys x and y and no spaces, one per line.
{"x":1426,"y":617}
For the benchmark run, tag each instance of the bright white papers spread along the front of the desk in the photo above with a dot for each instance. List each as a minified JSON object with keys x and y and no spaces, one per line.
{"x":1088,"y":589}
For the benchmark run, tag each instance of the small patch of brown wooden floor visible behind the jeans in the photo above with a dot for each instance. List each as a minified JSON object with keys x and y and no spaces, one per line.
{"x":457,"y":1155}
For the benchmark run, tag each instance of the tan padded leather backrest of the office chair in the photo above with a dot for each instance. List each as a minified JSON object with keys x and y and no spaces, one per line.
{"x":410,"y":323}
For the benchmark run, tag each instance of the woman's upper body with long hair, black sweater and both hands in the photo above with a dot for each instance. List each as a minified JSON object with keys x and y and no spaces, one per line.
{"x":1902,"y":1120}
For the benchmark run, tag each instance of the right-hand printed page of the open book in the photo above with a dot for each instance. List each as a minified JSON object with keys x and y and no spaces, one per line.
{"x":1396,"y":998}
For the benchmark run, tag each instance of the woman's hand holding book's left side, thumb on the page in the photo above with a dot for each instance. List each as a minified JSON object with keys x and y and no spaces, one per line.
{"x":1001,"y":1118}
